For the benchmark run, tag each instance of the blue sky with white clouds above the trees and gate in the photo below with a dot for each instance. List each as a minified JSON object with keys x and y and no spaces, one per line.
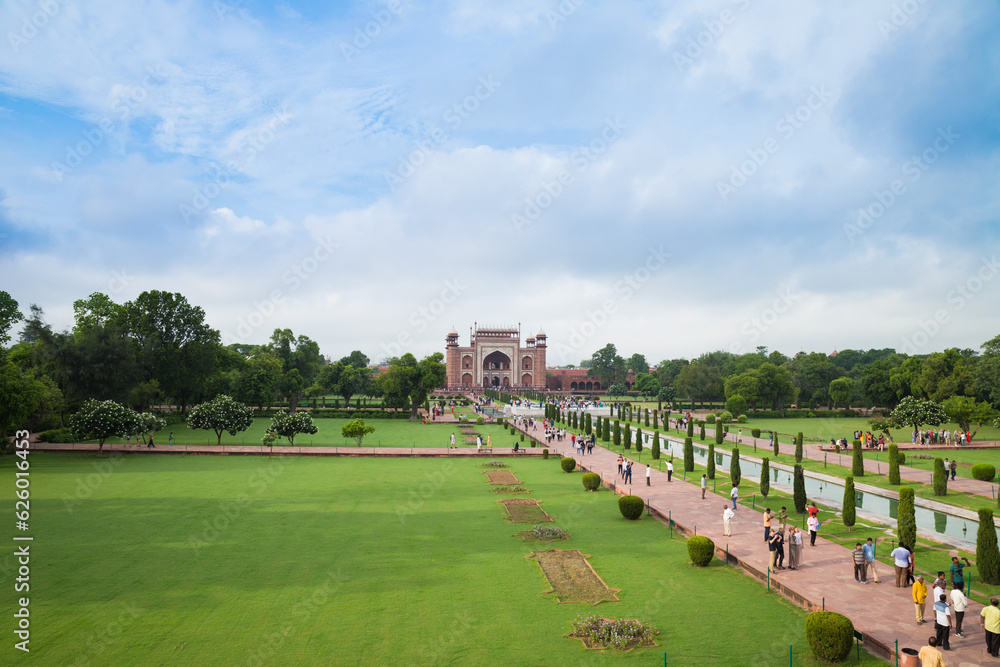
{"x":672,"y":177}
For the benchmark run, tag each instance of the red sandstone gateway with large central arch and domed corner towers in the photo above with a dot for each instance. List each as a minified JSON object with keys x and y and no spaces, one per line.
{"x":495,"y":358}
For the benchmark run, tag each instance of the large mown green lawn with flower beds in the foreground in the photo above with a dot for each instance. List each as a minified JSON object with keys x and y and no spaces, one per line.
{"x":218,"y":560}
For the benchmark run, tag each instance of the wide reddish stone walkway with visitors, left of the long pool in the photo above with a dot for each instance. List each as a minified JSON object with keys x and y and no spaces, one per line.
{"x":881,"y":611}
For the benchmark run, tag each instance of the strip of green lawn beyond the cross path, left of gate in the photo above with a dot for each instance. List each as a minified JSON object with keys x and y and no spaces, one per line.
{"x":388,"y":433}
